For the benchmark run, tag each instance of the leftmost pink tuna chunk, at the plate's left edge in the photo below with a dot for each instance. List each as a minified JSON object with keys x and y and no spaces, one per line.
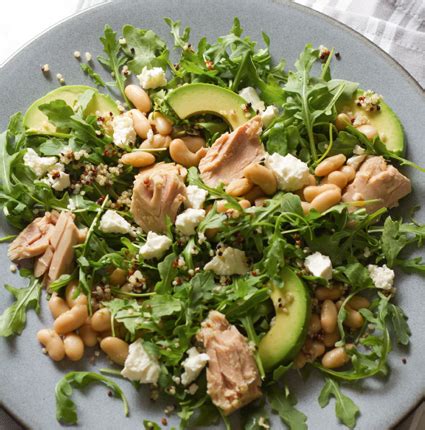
{"x":30,"y":242}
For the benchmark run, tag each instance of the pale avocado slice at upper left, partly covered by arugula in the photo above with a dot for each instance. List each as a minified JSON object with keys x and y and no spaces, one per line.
{"x":34,"y":119}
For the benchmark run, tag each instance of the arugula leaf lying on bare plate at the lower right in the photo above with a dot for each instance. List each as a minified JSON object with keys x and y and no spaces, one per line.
{"x":345,"y":409}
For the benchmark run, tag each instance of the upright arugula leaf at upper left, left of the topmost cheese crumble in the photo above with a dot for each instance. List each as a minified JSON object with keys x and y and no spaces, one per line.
{"x":115,"y":58}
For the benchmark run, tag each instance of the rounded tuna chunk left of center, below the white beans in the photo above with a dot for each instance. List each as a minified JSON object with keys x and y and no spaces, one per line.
{"x":158,"y":192}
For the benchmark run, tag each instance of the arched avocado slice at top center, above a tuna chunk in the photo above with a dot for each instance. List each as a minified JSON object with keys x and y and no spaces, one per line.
{"x":199,"y":98}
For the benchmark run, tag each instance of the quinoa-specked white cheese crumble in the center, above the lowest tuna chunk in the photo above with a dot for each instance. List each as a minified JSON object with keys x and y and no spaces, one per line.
{"x":228,"y":261}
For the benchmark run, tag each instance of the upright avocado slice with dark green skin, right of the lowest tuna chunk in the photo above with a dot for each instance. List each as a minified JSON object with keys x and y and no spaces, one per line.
{"x":287,"y":335}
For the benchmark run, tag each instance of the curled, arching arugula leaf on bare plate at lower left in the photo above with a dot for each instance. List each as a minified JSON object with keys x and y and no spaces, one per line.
{"x":66,"y":410}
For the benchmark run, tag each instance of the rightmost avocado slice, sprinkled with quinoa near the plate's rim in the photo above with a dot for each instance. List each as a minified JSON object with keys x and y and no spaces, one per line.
{"x":385,"y":121}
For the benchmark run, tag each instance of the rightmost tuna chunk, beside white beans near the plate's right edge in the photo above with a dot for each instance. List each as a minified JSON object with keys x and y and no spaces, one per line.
{"x":377,"y":180}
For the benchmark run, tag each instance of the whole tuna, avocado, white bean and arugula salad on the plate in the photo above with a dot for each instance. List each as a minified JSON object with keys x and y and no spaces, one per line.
{"x":223,"y":223}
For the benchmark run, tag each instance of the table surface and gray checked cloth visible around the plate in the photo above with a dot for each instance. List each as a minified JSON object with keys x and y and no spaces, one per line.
{"x":397,"y":26}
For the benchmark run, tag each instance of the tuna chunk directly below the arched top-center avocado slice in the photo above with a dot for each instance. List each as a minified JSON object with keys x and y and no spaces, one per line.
{"x":231,"y":153}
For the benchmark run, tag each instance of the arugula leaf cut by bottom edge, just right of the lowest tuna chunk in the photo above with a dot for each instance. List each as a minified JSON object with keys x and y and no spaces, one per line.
{"x":283,"y":402}
